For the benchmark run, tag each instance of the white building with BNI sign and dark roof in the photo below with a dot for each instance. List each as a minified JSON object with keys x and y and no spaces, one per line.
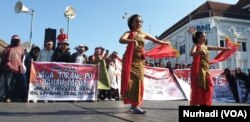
{"x":216,"y":29}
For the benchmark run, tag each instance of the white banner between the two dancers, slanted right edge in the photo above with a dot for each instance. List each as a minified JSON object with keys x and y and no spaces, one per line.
{"x":160,"y":85}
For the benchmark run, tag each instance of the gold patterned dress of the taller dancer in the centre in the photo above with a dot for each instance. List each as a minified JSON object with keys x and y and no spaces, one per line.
{"x":134,"y":91}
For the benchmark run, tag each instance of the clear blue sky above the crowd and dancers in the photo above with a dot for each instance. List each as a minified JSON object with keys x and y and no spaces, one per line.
{"x":97,"y":22}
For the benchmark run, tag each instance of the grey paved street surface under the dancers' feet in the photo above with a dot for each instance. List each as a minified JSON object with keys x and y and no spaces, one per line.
{"x":105,"y":111}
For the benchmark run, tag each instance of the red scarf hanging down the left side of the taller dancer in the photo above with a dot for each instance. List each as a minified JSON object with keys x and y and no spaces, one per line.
{"x":126,"y":65}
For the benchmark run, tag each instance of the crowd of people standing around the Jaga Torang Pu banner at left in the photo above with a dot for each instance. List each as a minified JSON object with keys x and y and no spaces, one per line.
{"x":16,"y":66}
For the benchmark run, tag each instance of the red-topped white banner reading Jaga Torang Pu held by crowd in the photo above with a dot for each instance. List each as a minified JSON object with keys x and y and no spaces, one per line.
{"x":62,"y":81}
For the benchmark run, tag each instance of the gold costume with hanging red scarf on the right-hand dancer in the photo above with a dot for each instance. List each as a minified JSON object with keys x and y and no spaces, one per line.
{"x":201,"y":80}
